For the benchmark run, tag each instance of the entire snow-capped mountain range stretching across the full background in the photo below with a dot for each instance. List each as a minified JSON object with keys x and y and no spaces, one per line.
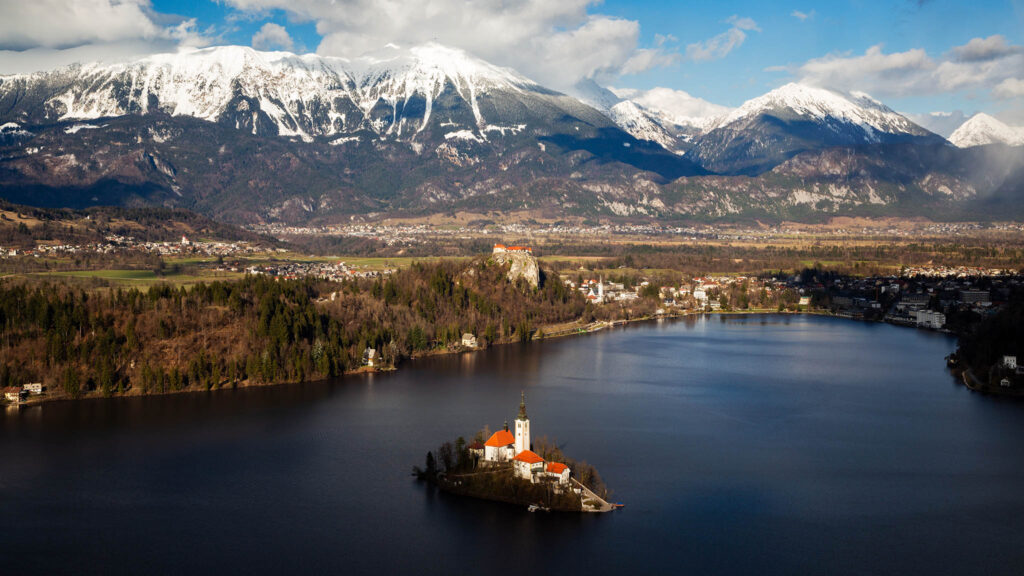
{"x":245,"y":137}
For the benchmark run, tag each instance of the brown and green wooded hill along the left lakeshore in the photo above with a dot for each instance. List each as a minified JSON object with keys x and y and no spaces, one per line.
{"x":260,"y":331}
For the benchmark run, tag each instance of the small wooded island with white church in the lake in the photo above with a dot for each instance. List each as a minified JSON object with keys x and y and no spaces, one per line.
{"x":507,"y":468}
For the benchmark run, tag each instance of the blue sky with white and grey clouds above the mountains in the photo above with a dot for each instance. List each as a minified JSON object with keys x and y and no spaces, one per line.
{"x":936,"y":61}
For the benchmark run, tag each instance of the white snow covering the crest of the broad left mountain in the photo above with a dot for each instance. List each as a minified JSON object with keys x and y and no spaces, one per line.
{"x":294,"y":92}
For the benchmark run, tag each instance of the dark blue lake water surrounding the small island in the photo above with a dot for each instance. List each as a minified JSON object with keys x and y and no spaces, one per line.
{"x":740,"y":445}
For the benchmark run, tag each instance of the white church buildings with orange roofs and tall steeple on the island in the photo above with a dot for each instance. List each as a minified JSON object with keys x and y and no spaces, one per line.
{"x":503,"y":447}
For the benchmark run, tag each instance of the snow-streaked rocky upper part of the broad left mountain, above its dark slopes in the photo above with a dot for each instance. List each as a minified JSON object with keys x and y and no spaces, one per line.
{"x":398,"y":94}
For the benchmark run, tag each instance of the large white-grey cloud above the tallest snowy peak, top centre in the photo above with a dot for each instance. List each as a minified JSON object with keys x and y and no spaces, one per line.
{"x":556,"y":44}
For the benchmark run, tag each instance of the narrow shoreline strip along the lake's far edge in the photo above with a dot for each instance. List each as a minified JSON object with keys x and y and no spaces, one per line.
{"x":582,"y":331}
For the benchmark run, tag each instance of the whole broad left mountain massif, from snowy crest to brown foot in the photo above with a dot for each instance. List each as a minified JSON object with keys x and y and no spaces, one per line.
{"x":253,"y":136}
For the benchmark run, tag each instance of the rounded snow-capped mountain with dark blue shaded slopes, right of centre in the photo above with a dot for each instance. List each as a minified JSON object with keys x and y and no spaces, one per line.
{"x":772,"y":129}
